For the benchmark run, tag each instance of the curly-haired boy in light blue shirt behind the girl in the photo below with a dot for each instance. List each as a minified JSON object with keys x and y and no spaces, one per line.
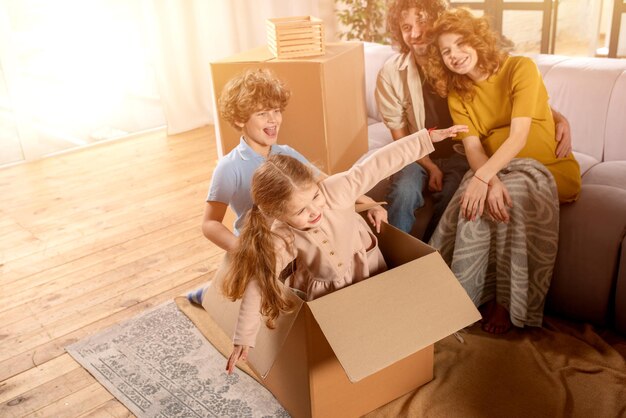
{"x":251,"y":102}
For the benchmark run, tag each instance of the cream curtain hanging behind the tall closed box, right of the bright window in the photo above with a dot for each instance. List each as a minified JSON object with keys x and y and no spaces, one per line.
{"x":189,"y":34}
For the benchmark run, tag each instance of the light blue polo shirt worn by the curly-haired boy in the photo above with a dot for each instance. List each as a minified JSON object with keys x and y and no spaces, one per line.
{"x":232,"y":177}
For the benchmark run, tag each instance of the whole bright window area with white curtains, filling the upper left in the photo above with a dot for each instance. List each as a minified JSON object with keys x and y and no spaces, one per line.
{"x":75,"y":72}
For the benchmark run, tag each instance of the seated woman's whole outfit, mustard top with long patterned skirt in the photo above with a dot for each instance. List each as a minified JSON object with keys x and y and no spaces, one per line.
{"x":510,"y":262}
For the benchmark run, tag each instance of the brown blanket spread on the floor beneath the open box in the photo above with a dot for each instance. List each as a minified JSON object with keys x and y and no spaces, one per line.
{"x":560,"y":370}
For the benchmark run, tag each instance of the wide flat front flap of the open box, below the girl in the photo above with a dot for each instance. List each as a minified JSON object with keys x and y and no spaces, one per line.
{"x":388,"y":317}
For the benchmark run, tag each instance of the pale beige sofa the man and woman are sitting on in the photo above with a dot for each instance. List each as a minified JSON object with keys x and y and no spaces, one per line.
{"x":589,"y":281}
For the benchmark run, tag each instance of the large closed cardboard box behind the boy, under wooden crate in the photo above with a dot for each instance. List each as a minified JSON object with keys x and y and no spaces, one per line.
{"x":326,"y":118}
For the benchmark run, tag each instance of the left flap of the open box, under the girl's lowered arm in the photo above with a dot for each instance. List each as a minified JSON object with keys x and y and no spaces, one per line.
{"x":269,"y":341}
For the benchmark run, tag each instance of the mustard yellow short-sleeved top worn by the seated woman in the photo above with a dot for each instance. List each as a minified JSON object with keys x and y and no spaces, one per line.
{"x":517,"y":90}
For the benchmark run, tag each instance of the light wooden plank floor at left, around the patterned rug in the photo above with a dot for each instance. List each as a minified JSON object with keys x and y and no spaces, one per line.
{"x":89,"y":239}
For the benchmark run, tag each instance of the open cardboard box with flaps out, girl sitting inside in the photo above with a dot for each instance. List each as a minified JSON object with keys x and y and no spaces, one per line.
{"x":354,"y":350}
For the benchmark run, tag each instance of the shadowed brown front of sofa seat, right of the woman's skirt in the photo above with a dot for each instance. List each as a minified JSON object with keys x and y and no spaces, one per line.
{"x":591,"y":232}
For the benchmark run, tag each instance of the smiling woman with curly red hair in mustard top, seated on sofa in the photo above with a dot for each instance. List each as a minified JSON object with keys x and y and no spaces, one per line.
{"x":500,"y":234}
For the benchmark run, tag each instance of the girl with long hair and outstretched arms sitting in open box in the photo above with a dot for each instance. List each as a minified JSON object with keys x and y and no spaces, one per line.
{"x":314,"y":223}
